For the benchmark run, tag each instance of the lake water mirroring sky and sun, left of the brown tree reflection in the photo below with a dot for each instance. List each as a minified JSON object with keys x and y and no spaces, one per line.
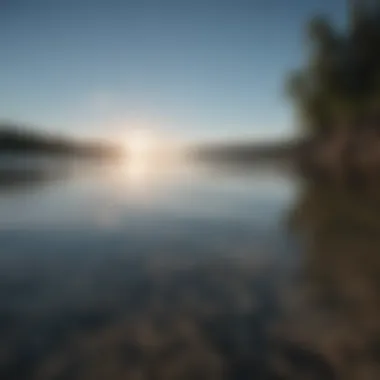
{"x":200,"y":256}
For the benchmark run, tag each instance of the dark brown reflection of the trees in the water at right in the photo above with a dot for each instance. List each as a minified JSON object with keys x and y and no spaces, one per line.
{"x":336,"y":300}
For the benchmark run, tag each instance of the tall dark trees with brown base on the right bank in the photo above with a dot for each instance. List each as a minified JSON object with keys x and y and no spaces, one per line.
{"x":337,"y":91}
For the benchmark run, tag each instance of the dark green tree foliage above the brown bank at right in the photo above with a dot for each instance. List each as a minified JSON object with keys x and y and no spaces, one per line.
{"x":340,"y":82}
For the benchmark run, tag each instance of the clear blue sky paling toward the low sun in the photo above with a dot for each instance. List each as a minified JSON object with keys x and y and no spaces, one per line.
{"x":201,"y":68}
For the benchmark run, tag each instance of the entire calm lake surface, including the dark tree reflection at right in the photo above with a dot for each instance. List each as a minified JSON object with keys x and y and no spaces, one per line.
{"x":120,"y":272}
